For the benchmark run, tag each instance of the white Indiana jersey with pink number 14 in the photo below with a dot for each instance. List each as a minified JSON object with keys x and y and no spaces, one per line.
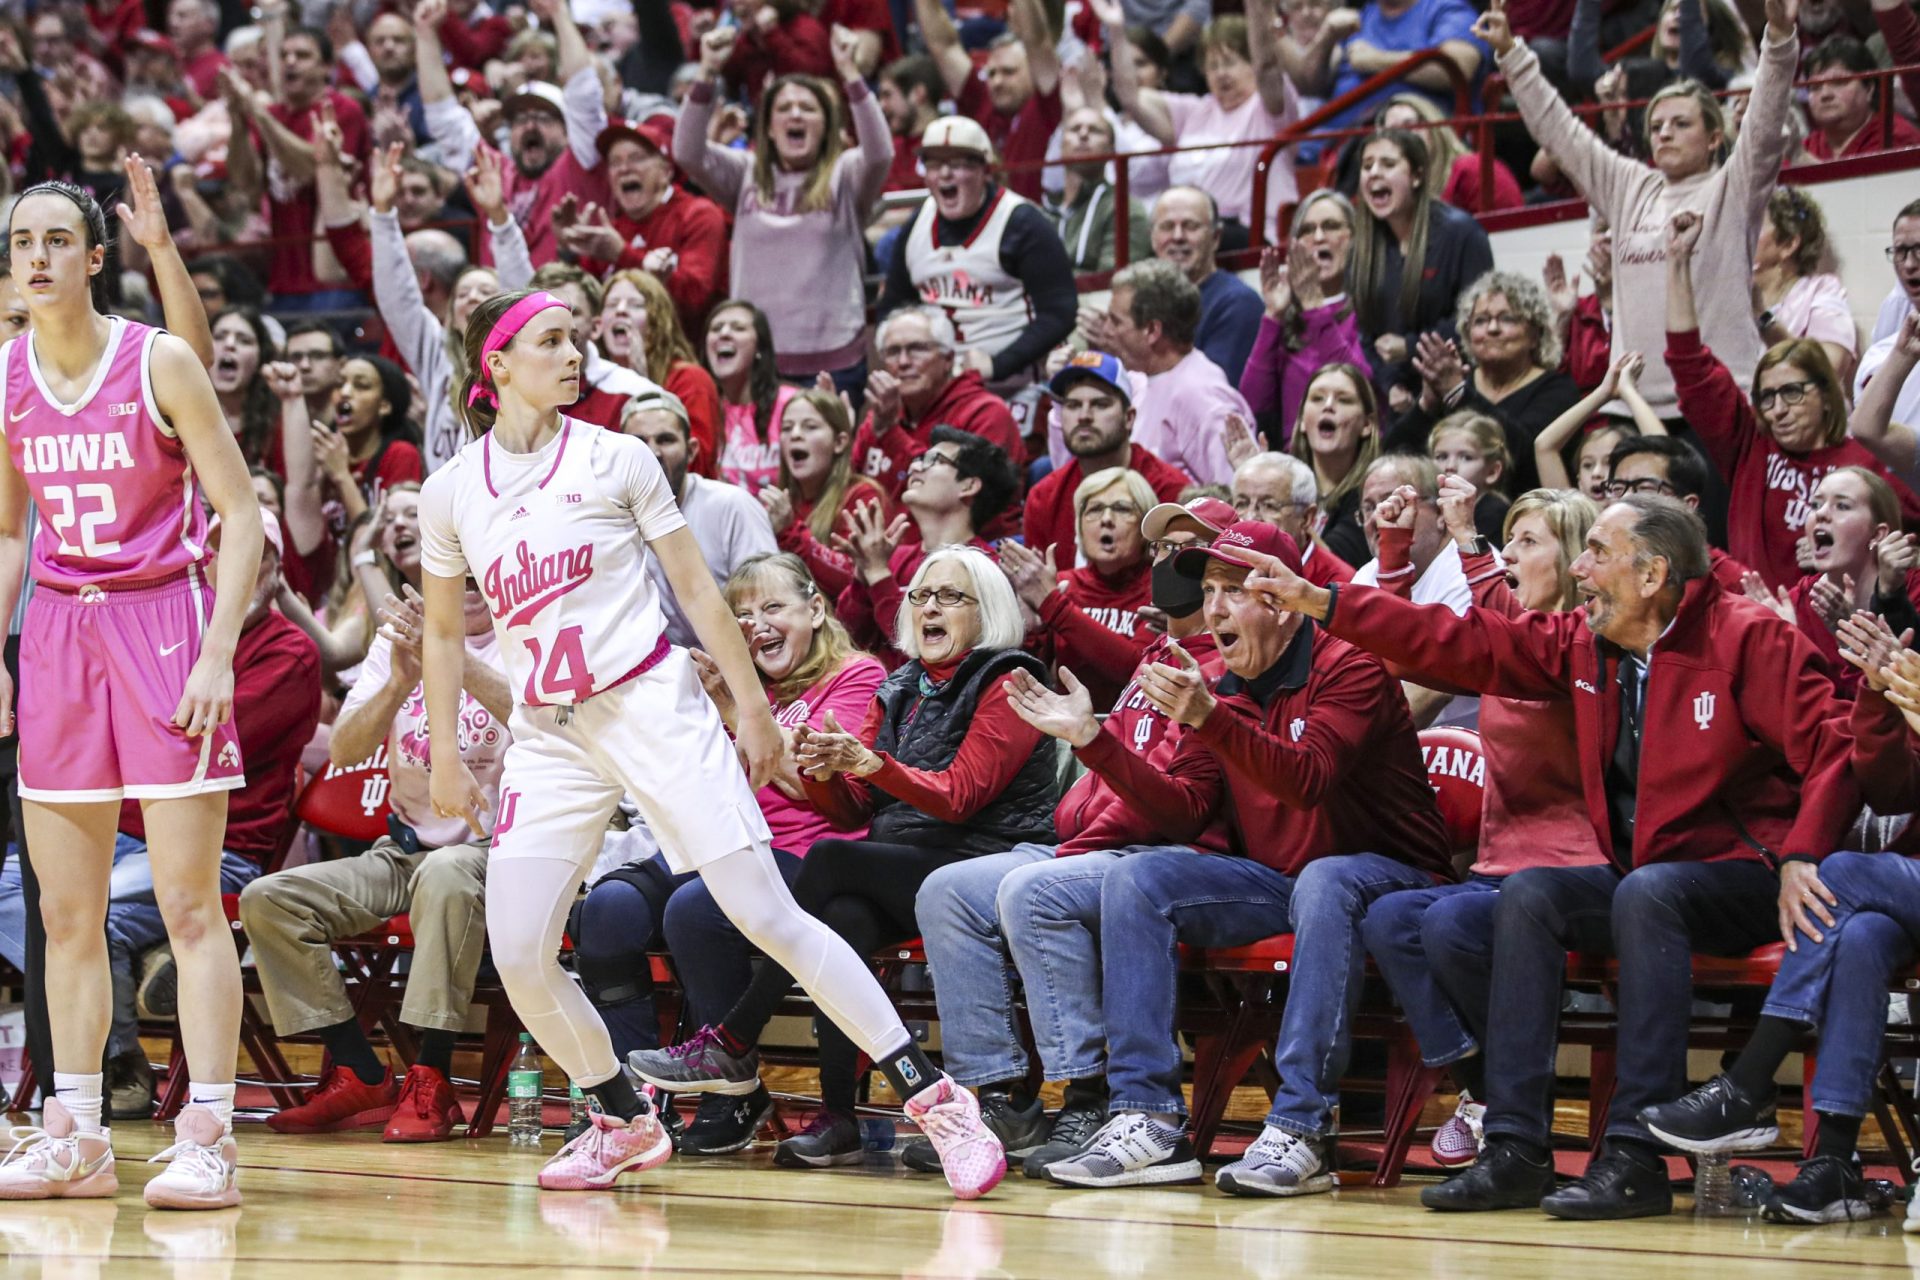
{"x":558,"y":544}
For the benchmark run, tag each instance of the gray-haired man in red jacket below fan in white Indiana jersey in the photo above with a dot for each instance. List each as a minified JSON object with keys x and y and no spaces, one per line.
{"x":917,"y":391}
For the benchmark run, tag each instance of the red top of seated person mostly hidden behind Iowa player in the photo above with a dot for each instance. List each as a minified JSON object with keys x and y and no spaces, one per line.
{"x":277,"y":703}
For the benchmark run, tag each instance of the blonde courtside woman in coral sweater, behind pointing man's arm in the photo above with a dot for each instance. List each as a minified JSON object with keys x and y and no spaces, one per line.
{"x":1435,"y":947}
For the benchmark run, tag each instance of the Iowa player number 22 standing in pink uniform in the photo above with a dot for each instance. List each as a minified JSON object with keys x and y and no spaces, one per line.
{"x":114,"y":435}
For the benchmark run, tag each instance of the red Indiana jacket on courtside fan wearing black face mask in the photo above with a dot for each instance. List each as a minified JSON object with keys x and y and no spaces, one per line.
{"x":1092,"y":817}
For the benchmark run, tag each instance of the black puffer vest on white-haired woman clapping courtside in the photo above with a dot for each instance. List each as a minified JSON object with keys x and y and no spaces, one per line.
{"x":926,"y":734}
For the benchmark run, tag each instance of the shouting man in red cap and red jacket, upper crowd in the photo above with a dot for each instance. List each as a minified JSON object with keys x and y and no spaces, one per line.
{"x":654,"y":225}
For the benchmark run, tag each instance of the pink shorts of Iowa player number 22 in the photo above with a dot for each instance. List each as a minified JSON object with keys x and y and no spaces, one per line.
{"x":101,"y":675}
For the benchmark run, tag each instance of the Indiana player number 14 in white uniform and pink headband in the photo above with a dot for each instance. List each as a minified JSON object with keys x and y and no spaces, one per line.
{"x":556,"y":521}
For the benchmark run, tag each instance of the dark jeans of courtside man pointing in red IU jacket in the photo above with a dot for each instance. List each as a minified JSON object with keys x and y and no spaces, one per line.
{"x":1652,"y":920}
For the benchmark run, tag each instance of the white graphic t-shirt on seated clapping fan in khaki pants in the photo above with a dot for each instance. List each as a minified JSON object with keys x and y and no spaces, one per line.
{"x":483,"y":744}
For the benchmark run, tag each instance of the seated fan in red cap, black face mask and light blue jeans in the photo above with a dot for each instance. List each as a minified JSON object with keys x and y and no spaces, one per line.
{"x":1036,"y":913}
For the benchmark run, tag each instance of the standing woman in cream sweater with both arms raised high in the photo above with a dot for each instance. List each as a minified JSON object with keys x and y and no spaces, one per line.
{"x":1692,"y":170}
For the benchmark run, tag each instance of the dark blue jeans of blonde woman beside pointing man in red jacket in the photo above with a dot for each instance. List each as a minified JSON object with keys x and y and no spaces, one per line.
{"x":1435,"y":949}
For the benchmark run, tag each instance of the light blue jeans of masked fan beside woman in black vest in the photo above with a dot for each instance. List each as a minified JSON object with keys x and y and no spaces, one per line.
{"x":1032,"y":914}
